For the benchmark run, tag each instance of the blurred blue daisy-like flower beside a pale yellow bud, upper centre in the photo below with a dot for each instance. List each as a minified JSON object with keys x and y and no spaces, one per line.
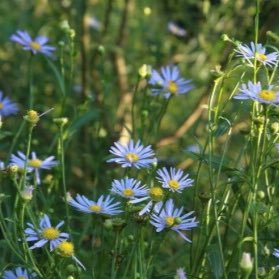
{"x":169,"y":82}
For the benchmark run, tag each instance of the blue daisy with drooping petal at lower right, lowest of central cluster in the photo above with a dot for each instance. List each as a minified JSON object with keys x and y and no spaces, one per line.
{"x":172,"y":218}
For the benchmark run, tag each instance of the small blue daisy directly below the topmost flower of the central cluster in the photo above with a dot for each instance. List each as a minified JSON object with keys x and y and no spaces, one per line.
{"x":128,"y":188}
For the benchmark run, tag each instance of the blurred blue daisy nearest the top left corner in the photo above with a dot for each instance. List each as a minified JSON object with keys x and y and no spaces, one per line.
{"x":38,"y":45}
